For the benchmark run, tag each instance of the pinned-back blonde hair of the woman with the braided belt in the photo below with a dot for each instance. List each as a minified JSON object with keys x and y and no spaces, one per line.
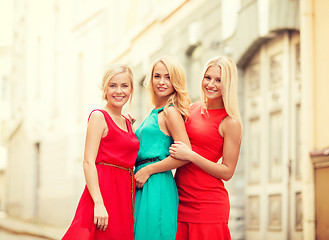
{"x":112,"y":70}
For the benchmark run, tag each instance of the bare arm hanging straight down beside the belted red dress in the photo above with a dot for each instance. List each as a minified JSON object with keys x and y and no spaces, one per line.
{"x":95,"y":130}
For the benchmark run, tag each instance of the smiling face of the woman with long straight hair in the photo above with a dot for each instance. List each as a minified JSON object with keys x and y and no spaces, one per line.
{"x":211,"y":83}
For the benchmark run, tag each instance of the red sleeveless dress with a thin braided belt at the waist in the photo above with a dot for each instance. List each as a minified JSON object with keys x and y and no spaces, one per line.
{"x":117,"y":148}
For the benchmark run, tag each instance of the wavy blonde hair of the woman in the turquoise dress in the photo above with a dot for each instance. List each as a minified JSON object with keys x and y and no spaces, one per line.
{"x":179,"y":98}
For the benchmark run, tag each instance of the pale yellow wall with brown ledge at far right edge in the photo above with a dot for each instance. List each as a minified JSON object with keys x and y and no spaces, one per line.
{"x":314,"y":127}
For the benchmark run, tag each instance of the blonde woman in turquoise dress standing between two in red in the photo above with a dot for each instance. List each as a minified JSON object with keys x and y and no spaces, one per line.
{"x":156,"y":199}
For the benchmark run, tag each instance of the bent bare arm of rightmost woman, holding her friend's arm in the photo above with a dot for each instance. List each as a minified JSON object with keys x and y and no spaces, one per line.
{"x":231,"y":130}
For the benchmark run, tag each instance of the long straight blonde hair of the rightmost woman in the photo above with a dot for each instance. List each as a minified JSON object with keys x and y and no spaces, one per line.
{"x":229,"y":80}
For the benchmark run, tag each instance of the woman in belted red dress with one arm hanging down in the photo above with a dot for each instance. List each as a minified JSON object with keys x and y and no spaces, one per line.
{"x":105,"y":210}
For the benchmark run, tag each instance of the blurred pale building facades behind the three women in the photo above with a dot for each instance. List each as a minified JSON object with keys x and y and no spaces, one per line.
{"x":52,"y":58}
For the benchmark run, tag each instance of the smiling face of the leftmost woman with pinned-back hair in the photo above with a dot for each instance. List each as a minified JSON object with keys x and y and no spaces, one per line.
{"x":118,"y":90}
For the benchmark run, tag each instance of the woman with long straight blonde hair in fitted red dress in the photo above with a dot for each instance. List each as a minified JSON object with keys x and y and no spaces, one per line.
{"x":214,"y":129}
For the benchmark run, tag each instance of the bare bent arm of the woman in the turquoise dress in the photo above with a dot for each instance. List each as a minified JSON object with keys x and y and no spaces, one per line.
{"x":176,"y":127}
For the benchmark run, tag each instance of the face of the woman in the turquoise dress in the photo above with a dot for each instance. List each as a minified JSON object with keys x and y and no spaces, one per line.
{"x":162,"y":85}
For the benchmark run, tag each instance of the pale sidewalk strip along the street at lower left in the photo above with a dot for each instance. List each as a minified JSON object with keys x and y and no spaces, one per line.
{"x":19,"y":226}
